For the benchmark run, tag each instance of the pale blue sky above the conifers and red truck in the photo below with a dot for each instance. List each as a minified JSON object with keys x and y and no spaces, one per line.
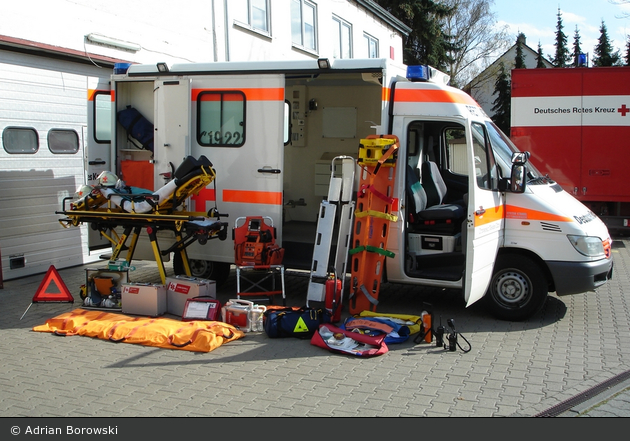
{"x":537,"y":20}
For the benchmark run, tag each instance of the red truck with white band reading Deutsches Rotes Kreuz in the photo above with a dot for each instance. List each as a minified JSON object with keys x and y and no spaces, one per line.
{"x":575,"y":122}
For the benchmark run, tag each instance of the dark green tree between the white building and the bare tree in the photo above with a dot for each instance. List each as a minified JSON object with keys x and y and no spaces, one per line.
{"x":427,"y":43}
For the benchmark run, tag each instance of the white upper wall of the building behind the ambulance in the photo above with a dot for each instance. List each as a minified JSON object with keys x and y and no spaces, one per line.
{"x":188,"y":31}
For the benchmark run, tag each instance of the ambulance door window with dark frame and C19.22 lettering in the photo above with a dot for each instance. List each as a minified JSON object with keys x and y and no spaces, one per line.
{"x":221,"y":118}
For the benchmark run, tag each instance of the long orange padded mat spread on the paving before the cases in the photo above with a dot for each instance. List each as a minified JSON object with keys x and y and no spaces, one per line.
{"x":199,"y":336}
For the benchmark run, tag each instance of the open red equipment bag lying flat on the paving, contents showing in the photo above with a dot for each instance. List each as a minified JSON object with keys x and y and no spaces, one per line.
{"x":348,"y":342}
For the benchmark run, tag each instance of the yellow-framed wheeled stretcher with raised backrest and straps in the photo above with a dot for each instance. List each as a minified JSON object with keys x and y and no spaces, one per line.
{"x":107,"y":207}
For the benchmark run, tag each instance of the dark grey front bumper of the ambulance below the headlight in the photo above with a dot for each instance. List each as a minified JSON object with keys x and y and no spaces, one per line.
{"x":578,"y":277}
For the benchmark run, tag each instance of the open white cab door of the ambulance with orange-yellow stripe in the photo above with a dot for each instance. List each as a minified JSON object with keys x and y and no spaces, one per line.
{"x":485,"y":216}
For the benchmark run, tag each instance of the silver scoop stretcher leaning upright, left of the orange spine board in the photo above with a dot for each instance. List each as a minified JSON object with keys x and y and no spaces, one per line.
{"x":329,"y":226}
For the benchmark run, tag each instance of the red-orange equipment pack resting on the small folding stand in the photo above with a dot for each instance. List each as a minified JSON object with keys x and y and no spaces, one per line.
{"x":255,"y":242}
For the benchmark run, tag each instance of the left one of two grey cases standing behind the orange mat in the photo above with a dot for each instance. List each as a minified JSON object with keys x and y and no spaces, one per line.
{"x":143,"y":299}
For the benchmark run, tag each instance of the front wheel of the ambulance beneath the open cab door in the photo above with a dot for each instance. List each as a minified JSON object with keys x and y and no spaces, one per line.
{"x":518,"y":288}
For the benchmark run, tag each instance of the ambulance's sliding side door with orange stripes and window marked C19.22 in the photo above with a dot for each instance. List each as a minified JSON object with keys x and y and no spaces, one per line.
{"x":238,"y":124}
